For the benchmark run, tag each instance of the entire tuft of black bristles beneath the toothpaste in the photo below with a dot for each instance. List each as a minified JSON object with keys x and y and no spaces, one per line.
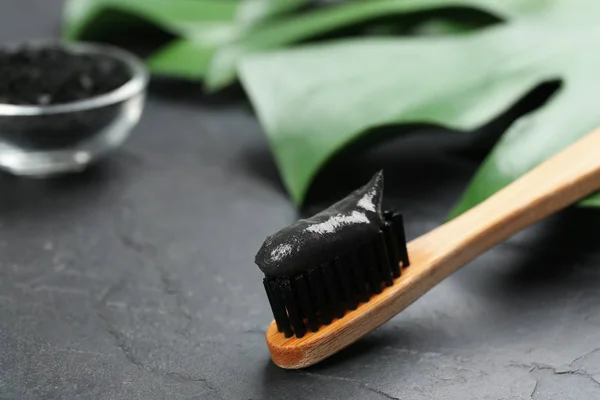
{"x":316,"y":296}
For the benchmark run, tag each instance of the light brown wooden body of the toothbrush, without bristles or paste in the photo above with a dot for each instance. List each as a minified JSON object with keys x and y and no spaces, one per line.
{"x":565,"y":178}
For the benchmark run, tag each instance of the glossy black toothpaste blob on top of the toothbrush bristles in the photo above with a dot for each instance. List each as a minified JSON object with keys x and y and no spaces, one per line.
{"x":341,"y":228}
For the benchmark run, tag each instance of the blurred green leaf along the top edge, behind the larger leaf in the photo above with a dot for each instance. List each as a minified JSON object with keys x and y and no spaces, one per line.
{"x":211,"y":36}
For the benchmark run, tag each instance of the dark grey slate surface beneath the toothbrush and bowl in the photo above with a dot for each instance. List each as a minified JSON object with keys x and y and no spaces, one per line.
{"x":135,"y":280}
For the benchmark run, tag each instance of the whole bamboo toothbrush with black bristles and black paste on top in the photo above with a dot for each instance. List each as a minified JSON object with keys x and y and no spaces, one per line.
{"x":311,"y":298}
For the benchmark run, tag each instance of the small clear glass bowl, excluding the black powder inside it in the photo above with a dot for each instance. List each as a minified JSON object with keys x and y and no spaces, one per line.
{"x":43,"y":141}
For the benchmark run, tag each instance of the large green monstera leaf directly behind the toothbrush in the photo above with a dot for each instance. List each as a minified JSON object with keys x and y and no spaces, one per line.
{"x":316,"y":100}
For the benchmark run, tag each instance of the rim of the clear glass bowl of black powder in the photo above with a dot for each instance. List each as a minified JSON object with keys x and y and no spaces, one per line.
{"x":135,"y":85}
